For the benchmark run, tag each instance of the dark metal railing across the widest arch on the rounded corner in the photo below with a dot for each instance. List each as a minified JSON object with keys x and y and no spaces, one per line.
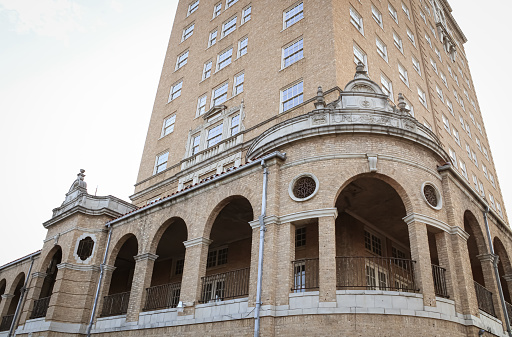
{"x":375,"y":273}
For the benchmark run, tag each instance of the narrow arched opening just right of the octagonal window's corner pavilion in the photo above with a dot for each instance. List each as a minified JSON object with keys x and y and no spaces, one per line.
{"x":116,"y":302}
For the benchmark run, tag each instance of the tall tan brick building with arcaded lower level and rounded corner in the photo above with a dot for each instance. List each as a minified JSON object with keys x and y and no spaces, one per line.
{"x":311,"y":168}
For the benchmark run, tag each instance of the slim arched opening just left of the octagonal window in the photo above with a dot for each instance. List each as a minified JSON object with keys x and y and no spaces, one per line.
{"x":41,"y":304}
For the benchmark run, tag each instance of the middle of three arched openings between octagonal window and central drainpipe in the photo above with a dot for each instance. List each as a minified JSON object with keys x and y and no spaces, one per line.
{"x":165,"y":288}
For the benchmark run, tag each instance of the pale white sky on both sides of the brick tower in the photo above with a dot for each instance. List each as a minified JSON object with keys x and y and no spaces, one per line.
{"x":77,"y":84}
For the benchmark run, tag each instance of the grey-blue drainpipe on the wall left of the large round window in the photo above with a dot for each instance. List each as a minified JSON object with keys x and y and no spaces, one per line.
{"x":260,"y":256}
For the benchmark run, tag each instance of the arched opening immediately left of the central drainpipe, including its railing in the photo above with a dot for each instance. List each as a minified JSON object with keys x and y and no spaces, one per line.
{"x":229,"y":254}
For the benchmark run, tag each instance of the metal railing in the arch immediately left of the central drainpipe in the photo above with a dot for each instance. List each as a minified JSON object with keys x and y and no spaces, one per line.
{"x":224,"y":286}
